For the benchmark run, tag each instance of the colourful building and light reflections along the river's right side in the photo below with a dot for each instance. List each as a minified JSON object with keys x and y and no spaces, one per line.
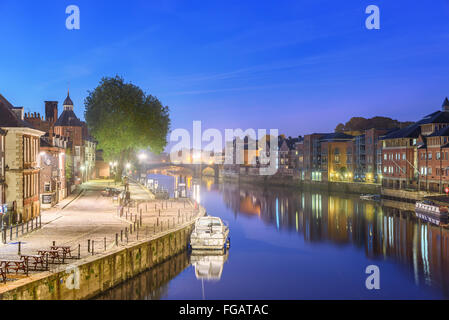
{"x":381,"y":231}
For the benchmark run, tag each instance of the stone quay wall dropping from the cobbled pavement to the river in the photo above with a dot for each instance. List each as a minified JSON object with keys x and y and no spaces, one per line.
{"x":97,"y":274}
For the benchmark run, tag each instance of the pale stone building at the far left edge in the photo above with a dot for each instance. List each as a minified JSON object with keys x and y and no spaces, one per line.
{"x":21,"y":163}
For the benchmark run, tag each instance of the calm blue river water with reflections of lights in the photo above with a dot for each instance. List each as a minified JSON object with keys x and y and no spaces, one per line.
{"x":288,"y":244}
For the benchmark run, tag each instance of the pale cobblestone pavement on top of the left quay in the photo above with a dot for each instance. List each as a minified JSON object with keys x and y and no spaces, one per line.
{"x":90,"y":216}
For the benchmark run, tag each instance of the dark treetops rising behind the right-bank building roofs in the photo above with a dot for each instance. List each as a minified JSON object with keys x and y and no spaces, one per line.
{"x":361,"y":124}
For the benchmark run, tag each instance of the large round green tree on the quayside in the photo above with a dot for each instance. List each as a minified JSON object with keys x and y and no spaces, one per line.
{"x":123,"y":119}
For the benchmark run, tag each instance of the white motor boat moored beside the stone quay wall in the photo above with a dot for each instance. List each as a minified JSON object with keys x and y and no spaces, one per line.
{"x":209,"y":233}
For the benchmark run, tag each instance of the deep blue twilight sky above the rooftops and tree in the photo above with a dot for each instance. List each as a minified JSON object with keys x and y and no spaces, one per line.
{"x":301,"y":66}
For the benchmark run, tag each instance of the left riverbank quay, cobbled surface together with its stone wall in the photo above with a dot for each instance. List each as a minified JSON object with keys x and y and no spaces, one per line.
{"x":112,"y":245}
